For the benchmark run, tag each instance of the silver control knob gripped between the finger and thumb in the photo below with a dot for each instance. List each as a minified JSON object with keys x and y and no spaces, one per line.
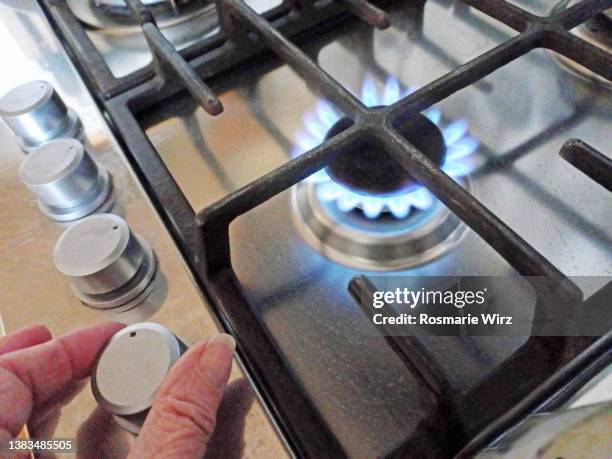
{"x":130,"y":370}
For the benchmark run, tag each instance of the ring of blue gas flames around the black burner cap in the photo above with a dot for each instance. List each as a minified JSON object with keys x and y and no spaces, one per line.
{"x":459,"y":145}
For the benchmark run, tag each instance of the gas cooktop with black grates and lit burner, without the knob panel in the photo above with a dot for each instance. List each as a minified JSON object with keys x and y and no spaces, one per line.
{"x":298,"y":150}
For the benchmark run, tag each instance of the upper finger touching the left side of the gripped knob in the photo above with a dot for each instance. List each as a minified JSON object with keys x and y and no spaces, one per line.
{"x":33,"y":375}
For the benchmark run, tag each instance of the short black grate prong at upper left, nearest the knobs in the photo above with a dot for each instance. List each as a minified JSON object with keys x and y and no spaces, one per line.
{"x":169,"y":62}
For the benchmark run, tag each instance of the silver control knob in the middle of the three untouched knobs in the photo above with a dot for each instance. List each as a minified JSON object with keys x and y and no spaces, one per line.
{"x":67,"y":183}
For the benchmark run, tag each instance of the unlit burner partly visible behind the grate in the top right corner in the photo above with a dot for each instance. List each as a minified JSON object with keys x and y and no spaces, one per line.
{"x":597,"y":31}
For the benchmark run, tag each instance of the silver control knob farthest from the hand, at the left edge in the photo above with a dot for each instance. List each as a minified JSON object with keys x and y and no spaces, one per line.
{"x":36,"y":114}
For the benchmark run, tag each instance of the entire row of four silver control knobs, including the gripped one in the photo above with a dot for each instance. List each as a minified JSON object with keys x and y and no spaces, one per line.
{"x":109,"y":267}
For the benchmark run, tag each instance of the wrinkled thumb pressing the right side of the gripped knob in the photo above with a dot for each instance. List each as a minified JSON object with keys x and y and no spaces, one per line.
{"x":182,"y":418}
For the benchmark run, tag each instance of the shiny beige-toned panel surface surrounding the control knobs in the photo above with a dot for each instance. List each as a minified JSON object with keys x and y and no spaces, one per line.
{"x":32,"y":291}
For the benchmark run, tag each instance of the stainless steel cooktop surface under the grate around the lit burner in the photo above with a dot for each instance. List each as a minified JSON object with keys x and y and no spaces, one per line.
{"x":502,"y":136}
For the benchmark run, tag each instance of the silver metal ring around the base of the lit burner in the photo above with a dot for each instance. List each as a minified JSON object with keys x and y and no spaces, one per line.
{"x":374,"y":245}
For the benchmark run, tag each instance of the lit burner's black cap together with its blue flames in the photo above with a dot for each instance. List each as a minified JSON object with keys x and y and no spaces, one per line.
{"x":351,"y":188}
